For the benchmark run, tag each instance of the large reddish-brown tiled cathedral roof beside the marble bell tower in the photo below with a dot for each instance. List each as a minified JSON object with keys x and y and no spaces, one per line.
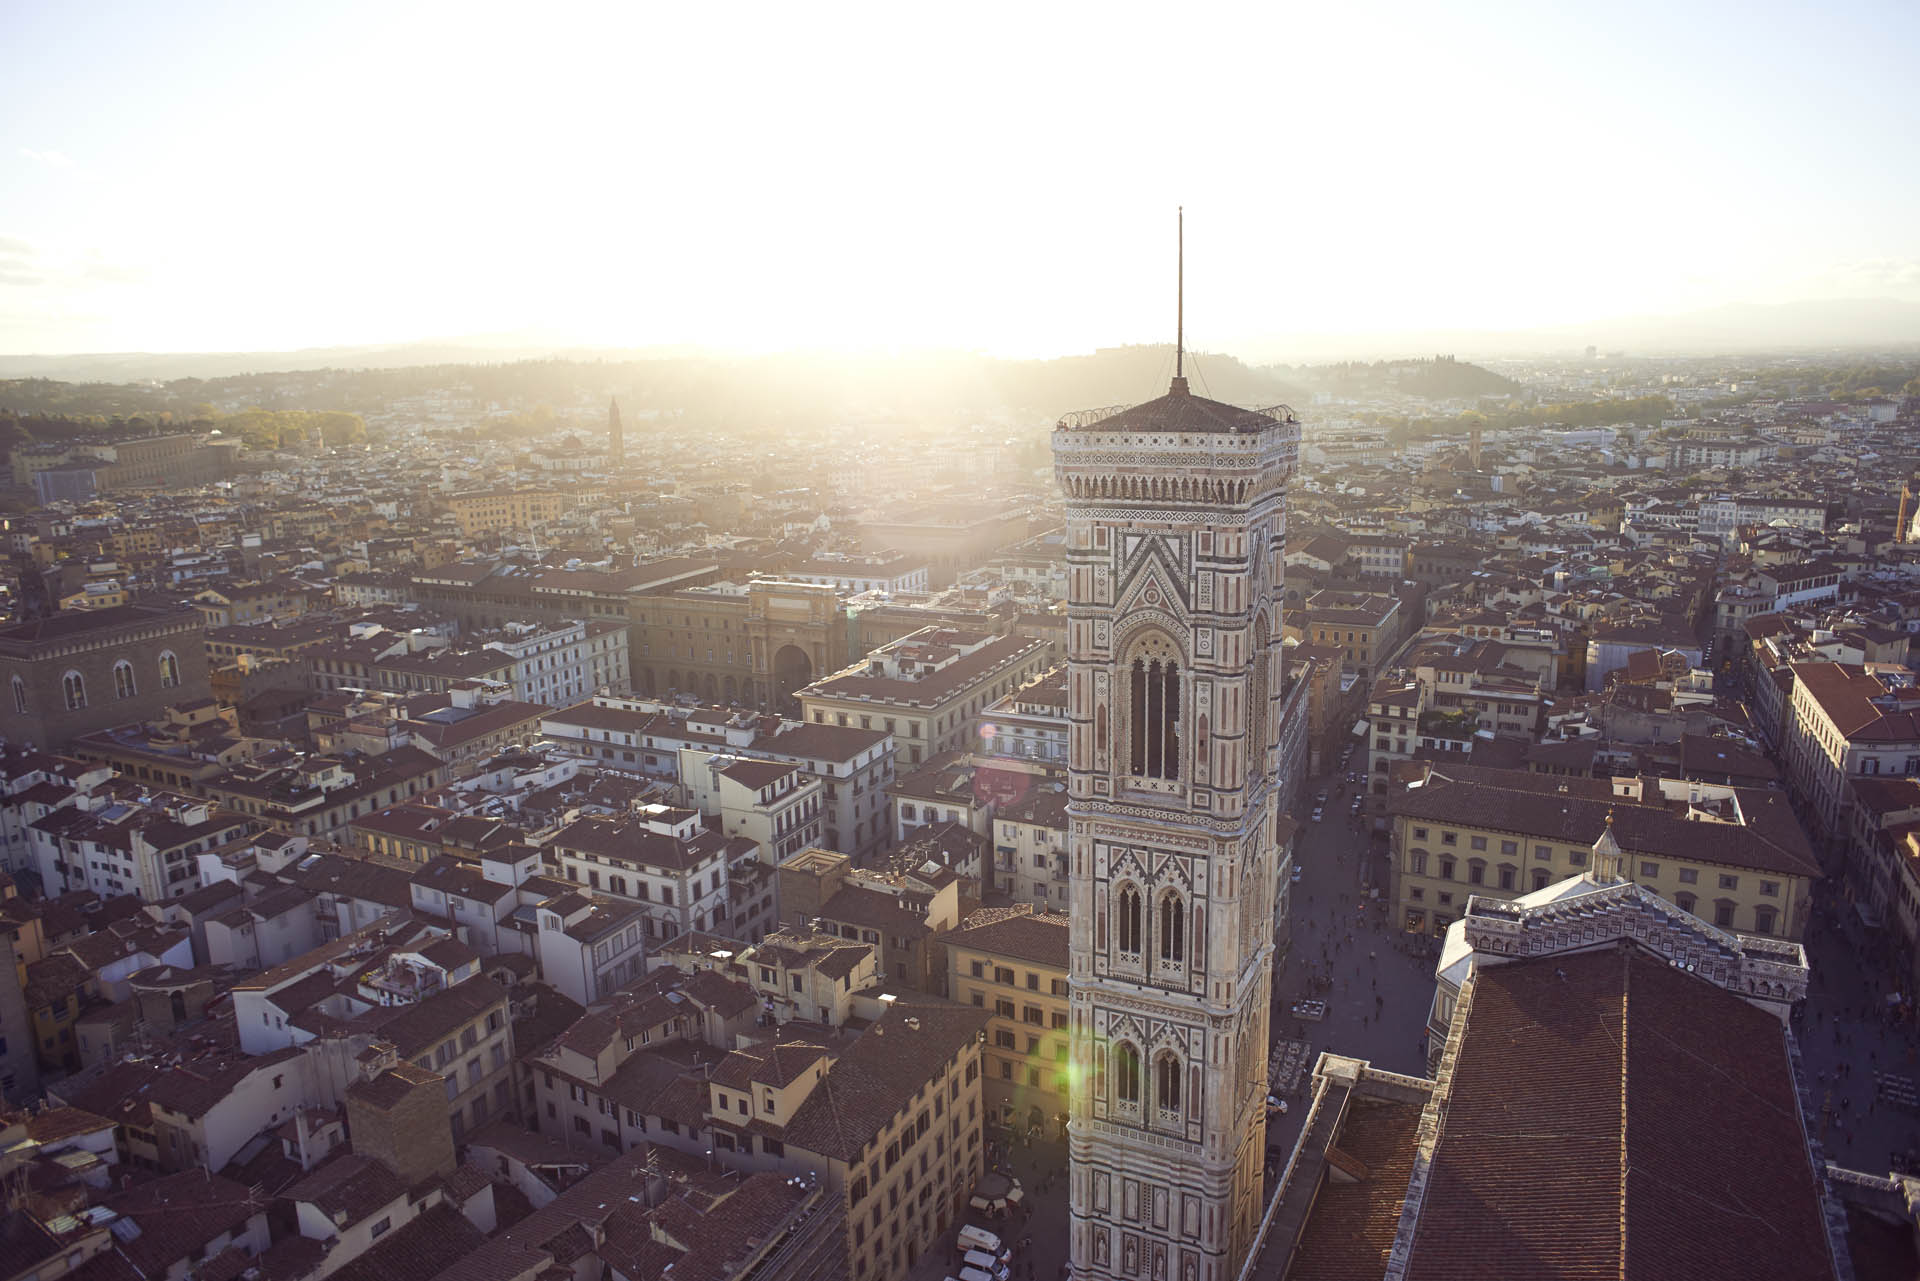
{"x":1612,"y":1117}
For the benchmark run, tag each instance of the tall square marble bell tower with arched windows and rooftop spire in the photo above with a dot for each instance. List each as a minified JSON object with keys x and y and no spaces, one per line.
{"x":1176,"y":544}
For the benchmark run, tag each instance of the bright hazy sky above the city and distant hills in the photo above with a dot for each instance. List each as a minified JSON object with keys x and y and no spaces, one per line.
{"x":203,"y":178}
